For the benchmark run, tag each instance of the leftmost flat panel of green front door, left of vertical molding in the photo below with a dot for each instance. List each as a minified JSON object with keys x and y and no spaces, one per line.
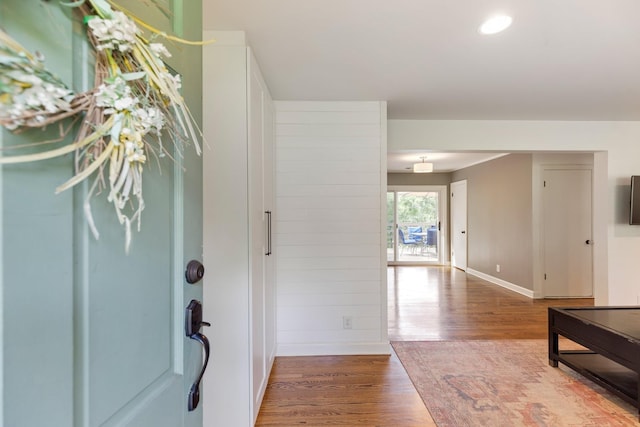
{"x":36,"y":279}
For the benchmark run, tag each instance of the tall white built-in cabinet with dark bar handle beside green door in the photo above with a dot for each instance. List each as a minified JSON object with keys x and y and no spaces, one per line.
{"x":238,"y":192}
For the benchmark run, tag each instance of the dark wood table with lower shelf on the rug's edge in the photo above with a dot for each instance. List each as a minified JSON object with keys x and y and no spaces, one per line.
{"x":612,"y":338}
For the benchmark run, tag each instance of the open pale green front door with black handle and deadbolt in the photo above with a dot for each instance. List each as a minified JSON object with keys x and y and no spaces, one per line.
{"x":91,"y":336}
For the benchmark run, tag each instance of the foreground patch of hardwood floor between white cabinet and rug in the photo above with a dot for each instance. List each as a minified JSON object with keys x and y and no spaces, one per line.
{"x":341,"y":390}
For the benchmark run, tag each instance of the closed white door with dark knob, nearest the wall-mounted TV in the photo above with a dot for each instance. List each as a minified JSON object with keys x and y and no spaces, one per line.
{"x":568,"y":255}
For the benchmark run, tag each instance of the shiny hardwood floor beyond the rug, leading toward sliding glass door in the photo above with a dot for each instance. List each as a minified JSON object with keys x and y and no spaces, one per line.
{"x":441,"y":303}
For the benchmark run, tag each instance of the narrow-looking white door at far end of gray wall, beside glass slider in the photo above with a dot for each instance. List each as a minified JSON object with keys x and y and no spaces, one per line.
{"x":459,"y":224}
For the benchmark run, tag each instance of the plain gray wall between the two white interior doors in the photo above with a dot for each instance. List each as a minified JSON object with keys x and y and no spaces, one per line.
{"x":499,"y":205}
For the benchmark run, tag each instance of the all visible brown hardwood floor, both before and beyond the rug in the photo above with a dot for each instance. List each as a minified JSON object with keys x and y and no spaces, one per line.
{"x":424,"y":303}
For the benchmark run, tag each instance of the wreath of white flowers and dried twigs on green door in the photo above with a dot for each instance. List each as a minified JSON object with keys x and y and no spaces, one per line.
{"x":124,"y":114}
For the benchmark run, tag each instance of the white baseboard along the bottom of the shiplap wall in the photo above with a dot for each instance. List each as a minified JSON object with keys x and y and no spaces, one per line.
{"x":334,"y":349}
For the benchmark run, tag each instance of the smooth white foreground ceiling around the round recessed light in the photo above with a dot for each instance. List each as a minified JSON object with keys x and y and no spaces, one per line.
{"x":560,"y":59}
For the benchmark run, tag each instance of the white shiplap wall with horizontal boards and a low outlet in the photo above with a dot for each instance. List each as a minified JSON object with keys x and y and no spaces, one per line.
{"x":331,"y":192}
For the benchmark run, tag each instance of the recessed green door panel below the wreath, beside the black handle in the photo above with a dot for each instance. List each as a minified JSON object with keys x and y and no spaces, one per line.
{"x":130,"y":313}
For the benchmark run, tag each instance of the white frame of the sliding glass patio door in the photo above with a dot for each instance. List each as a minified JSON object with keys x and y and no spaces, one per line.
{"x":443,"y":236}
